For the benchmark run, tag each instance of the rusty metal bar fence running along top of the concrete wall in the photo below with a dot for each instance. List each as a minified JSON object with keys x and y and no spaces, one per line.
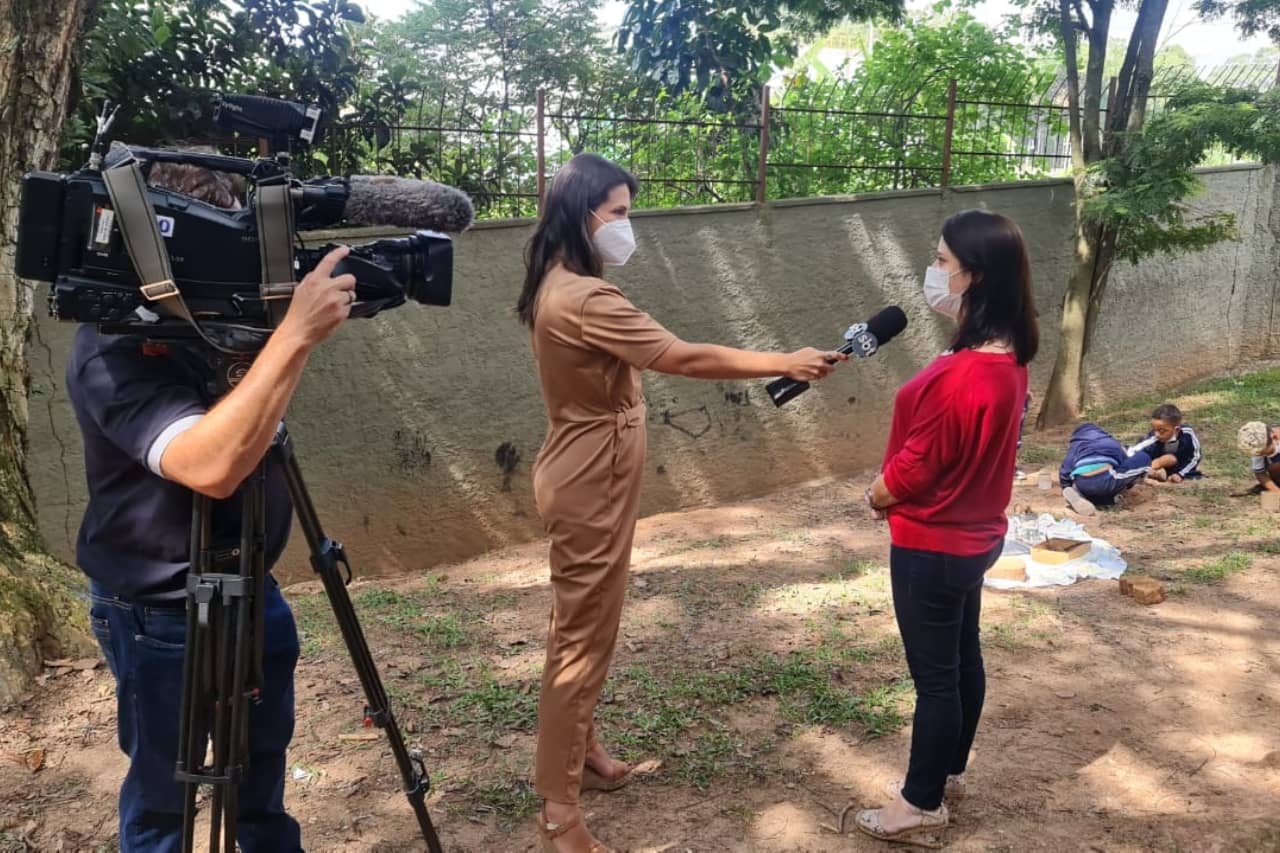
{"x":938,"y":134}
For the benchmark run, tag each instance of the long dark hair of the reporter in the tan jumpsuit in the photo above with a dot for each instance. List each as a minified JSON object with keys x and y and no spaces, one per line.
{"x":563,"y":234}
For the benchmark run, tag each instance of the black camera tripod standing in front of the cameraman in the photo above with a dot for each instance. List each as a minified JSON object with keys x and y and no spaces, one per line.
{"x":223,"y":664}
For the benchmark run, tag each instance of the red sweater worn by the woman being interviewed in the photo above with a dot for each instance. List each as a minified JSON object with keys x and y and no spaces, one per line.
{"x":952,"y":453}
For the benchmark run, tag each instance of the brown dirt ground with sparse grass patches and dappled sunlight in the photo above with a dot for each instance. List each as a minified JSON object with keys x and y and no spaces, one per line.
{"x":760,"y":662}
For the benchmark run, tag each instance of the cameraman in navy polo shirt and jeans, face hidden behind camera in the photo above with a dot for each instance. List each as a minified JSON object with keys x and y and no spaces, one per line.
{"x":153,"y":435}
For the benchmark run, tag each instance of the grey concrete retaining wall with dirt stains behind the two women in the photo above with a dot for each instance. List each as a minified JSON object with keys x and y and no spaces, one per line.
{"x":417,"y":430}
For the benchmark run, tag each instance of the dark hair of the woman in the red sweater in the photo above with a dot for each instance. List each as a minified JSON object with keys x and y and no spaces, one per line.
{"x":999,"y":304}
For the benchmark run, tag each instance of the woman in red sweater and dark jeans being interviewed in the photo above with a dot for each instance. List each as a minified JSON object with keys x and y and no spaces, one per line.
{"x":945,"y":486}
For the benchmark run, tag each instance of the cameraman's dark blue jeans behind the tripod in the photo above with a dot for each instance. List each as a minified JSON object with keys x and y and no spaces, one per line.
{"x":144,"y":647}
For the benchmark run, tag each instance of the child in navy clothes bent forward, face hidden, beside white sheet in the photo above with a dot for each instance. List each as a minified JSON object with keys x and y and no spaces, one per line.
{"x":1099,"y":468}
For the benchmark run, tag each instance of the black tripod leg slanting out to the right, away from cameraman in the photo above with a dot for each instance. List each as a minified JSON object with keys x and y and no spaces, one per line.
{"x":327,"y":556}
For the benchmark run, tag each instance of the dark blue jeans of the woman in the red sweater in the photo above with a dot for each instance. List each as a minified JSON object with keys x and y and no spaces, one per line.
{"x":938,"y":600}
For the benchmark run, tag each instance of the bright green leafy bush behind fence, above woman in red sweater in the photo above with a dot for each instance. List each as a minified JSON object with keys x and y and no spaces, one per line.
{"x":886,"y":127}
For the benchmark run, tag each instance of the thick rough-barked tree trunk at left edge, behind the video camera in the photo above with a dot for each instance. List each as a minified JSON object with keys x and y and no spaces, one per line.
{"x":43,"y":617}
